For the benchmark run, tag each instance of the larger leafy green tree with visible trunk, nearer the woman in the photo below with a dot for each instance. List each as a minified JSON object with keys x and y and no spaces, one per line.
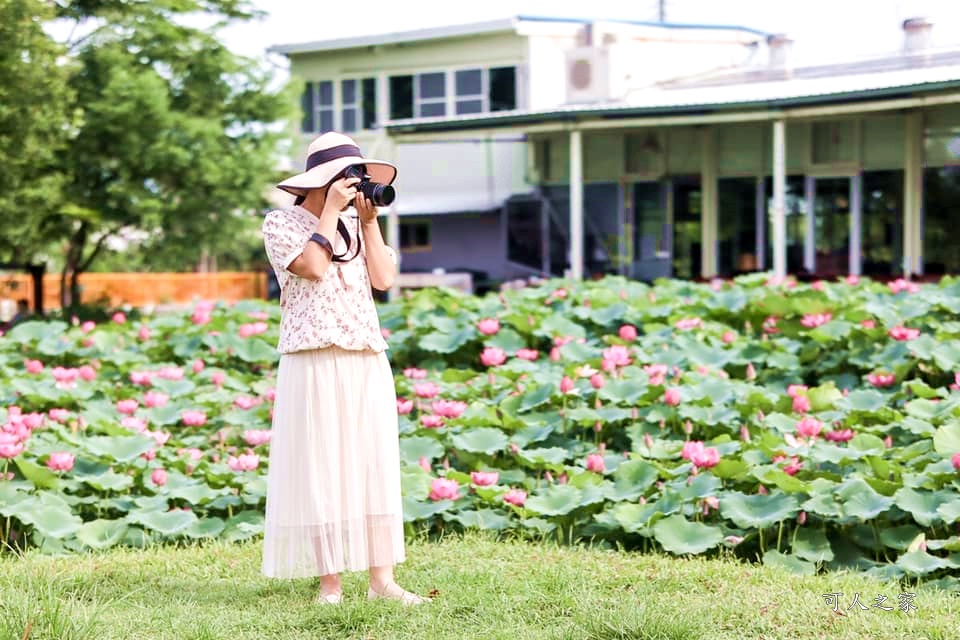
{"x":175,"y":136}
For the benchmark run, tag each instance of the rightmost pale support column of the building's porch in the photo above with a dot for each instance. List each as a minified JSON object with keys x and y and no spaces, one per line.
{"x":912,"y":194}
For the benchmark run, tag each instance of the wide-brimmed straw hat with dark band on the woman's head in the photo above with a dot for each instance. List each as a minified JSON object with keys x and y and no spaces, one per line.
{"x":327,"y":156}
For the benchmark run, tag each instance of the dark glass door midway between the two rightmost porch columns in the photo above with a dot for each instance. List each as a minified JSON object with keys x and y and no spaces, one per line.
{"x":832,"y":223}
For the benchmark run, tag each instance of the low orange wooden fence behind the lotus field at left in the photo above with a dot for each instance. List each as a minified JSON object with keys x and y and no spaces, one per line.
{"x":142,"y":289}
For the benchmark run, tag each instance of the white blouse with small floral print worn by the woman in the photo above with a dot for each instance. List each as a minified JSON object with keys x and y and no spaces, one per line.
{"x":338,"y":309}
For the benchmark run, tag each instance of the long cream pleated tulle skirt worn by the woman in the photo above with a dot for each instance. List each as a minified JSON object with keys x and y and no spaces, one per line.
{"x":333,"y":485}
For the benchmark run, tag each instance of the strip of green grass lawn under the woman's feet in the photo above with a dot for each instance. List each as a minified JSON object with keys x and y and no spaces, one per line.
{"x":485,"y":589}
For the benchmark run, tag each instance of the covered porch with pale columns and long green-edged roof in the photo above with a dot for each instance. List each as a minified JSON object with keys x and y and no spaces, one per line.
{"x":822,"y":187}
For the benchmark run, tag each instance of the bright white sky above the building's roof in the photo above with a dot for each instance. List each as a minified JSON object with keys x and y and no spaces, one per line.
{"x":821,"y":29}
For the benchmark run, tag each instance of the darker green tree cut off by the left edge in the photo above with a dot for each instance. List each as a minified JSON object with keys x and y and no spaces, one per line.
{"x":34,"y":124}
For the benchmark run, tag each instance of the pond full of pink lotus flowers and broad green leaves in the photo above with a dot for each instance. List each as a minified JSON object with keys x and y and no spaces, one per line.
{"x":812,"y":426}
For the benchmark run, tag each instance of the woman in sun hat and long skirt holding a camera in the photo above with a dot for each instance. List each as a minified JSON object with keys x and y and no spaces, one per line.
{"x":333,"y":487}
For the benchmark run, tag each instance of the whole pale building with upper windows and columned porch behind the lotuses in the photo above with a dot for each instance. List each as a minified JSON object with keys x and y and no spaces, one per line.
{"x":550,"y":146}
